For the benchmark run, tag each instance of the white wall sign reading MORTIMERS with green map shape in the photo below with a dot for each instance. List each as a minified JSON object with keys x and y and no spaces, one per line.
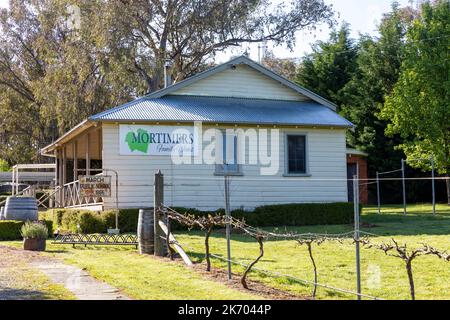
{"x":157,"y":140}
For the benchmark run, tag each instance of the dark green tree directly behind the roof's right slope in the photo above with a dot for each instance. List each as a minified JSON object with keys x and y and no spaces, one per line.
{"x":331,"y":65}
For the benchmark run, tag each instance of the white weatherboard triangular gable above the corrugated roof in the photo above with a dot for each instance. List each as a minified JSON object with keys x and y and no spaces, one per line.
{"x":242,"y":82}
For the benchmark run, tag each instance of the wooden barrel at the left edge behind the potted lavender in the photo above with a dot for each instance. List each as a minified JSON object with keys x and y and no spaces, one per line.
{"x":21,"y":208}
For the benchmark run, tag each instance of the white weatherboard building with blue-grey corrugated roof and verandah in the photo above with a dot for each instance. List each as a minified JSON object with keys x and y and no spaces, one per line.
{"x":280,"y":143}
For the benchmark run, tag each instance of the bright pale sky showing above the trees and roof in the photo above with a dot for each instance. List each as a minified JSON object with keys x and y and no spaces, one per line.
{"x":363,"y":16}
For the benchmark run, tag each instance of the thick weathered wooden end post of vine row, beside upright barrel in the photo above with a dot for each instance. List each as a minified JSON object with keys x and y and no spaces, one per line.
{"x":158,"y":202}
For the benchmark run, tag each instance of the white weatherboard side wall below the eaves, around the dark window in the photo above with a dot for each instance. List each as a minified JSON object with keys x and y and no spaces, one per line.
{"x":196,"y":185}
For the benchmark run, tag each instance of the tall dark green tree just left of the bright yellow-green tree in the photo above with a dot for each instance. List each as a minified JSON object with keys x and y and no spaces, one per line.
{"x":377,"y":70}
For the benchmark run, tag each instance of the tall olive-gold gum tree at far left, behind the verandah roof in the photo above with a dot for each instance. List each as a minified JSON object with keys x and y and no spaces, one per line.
{"x":52,"y":76}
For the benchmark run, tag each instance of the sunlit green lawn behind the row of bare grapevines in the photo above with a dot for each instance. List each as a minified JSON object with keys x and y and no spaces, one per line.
{"x":382,"y":276}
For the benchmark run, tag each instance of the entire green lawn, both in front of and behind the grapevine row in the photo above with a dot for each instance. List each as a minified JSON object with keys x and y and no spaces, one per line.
{"x":147,"y":277}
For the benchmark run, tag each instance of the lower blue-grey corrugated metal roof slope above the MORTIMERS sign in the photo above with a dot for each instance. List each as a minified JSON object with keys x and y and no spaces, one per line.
{"x":224,"y":110}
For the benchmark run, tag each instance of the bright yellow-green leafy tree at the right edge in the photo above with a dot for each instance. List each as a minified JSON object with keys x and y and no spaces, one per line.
{"x":419,"y":106}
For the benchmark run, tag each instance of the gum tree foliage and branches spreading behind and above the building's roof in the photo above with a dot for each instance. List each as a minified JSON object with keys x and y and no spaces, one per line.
{"x":59,"y":66}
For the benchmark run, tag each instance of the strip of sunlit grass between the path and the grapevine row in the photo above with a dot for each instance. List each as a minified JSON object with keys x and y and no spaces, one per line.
{"x":142,"y":277}
